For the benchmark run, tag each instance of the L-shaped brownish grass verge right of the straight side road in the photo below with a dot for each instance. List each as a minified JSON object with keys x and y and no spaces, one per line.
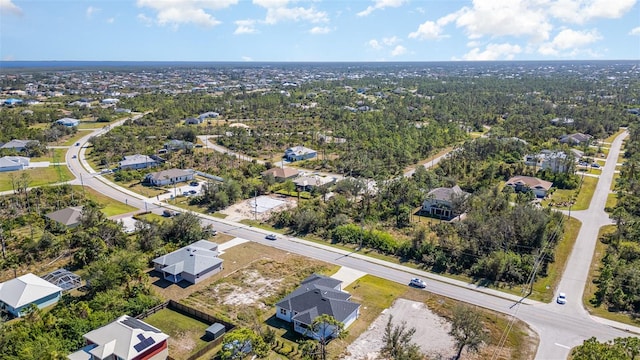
{"x":591,"y":288}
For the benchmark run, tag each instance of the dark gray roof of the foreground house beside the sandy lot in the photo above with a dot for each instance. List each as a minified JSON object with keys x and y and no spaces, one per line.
{"x":314,"y":298}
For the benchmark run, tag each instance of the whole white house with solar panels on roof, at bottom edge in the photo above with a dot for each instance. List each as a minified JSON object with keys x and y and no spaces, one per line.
{"x":126,"y":338}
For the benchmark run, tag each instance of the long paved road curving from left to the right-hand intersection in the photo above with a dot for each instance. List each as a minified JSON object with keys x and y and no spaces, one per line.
{"x":559,"y":327}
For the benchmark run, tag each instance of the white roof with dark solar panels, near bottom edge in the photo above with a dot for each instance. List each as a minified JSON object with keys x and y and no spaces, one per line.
{"x":126,"y":338}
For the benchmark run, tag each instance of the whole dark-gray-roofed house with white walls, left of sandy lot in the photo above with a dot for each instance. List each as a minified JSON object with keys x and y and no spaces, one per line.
{"x":317,"y":295}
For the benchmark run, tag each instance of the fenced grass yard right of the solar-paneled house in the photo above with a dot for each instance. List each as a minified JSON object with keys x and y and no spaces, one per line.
{"x":185,"y":332}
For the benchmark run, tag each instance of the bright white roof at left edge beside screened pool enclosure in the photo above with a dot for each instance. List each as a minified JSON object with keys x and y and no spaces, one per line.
{"x":26,"y":289}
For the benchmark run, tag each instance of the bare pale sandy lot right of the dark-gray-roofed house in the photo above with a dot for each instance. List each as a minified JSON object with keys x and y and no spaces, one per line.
{"x":431,"y":332}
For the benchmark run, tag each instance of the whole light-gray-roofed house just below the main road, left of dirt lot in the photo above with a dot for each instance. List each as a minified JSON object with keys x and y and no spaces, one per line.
{"x":192,"y":263}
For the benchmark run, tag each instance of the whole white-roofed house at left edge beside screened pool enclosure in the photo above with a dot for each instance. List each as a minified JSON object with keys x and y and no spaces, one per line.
{"x":16,"y":295}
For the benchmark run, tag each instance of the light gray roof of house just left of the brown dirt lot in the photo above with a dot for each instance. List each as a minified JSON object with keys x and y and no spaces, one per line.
{"x":192,"y":259}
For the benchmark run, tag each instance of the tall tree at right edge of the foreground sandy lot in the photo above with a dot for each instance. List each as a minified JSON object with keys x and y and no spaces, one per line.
{"x":467,"y":329}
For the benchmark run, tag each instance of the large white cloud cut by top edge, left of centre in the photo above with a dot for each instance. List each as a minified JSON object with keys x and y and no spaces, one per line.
{"x":176,"y":12}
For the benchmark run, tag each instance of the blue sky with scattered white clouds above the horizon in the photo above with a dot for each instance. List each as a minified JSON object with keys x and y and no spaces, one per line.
{"x":319,"y":30}
